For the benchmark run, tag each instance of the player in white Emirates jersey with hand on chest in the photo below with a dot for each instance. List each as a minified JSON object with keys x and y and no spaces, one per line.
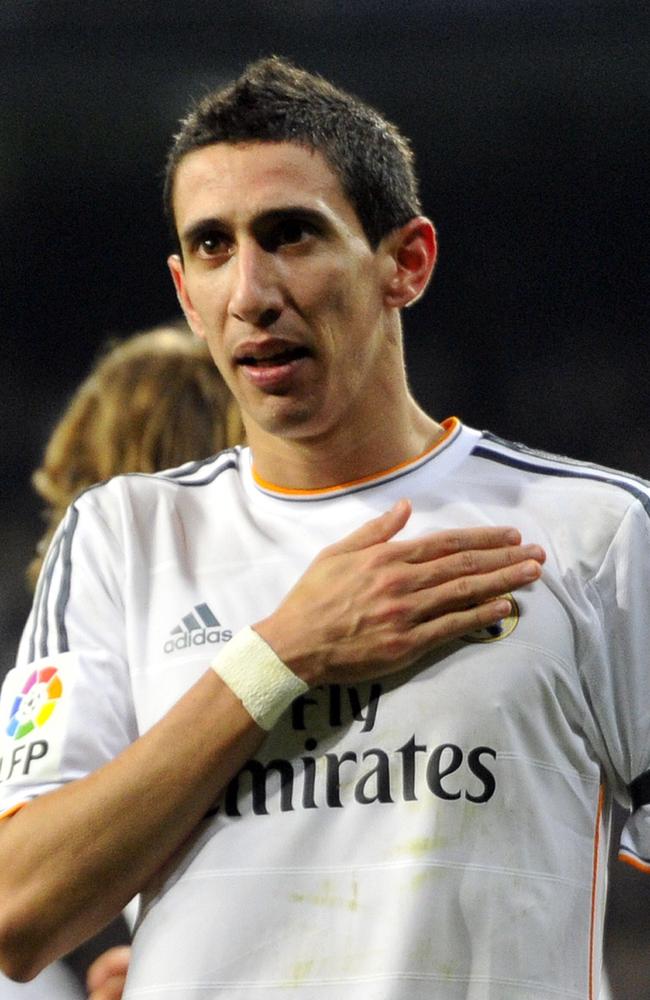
{"x":397,"y":782}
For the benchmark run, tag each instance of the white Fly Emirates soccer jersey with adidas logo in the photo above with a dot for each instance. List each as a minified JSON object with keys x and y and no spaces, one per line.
{"x":440,"y":833}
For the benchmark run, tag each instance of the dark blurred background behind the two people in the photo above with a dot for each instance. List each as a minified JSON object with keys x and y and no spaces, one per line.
{"x":531,"y":125}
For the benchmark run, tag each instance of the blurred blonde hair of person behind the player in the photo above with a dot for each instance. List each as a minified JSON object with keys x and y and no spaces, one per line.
{"x":154,"y":401}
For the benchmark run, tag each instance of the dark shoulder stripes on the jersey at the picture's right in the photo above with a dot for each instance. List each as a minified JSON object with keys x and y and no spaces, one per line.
{"x":518,"y":456}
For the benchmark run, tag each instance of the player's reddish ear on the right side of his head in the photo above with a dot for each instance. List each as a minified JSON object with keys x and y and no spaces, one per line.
{"x":412,"y":251}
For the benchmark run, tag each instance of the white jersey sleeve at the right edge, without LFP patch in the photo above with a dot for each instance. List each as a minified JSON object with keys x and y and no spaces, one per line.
{"x":618,"y":676}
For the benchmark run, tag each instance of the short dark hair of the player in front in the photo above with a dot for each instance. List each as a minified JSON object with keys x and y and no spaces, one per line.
{"x":275,"y":101}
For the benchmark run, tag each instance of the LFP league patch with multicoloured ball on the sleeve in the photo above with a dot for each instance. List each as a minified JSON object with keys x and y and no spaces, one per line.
{"x":34,"y":709}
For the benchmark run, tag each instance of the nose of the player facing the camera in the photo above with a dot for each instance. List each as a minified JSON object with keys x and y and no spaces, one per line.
{"x":256,"y":296}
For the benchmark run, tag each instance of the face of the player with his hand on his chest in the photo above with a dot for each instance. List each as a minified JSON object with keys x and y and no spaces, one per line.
{"x":278,"y":276}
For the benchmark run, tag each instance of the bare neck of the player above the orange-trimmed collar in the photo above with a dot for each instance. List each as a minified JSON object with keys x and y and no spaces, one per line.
{"x":343,"y":455}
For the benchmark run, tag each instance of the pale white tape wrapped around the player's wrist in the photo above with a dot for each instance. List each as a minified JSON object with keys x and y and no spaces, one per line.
{"x":262,"y":682}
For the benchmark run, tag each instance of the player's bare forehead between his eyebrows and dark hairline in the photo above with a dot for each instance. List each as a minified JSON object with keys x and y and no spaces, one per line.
{"x":238,"y":181}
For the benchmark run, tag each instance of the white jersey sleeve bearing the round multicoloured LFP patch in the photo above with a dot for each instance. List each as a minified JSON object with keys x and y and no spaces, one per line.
{"x":66,"y":708}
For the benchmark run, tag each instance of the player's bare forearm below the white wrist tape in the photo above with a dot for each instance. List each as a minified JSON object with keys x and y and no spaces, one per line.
{"x":72,"y":859}
